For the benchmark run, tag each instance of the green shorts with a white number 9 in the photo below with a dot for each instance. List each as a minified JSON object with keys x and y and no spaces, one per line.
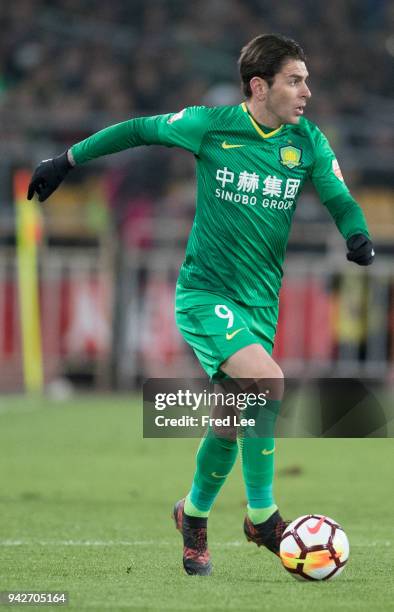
{"x":216,"y":327}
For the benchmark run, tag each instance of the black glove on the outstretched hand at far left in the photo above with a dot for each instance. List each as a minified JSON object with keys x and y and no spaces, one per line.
{"x":47,"y":176}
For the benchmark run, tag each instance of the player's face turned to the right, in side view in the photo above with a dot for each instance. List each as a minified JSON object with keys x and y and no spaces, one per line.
{"x":289,"y":93}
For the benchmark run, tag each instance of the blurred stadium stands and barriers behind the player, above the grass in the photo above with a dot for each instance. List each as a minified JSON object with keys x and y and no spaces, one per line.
{"x":114,"y":234}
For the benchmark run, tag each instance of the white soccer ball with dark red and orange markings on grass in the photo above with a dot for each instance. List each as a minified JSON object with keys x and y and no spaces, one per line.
{"x":314,"y":547}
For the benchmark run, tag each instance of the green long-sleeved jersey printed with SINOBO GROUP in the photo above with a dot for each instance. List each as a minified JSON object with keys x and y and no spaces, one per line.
{"x":248,"y":183}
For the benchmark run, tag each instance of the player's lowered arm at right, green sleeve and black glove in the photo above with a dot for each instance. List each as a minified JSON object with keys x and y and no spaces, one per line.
{"x":347,"y":214}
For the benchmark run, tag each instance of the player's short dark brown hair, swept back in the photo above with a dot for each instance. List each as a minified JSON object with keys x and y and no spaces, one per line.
{"x":264,"y":56}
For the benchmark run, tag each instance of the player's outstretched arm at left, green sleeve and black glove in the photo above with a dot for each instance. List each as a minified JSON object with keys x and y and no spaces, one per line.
{"x":185,"y":129}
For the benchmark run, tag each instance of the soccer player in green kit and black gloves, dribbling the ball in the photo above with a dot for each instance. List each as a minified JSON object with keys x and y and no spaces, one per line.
{"x":252,"y":160}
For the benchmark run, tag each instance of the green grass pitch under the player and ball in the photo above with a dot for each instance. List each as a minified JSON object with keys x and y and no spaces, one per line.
{"x":85,"y":507}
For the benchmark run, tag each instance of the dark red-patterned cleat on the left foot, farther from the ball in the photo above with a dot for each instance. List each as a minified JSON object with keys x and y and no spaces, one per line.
{"x":196,"y":557}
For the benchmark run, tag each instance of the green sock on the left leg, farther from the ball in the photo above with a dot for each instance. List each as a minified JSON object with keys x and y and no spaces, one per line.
{"x":215,"y":459}
